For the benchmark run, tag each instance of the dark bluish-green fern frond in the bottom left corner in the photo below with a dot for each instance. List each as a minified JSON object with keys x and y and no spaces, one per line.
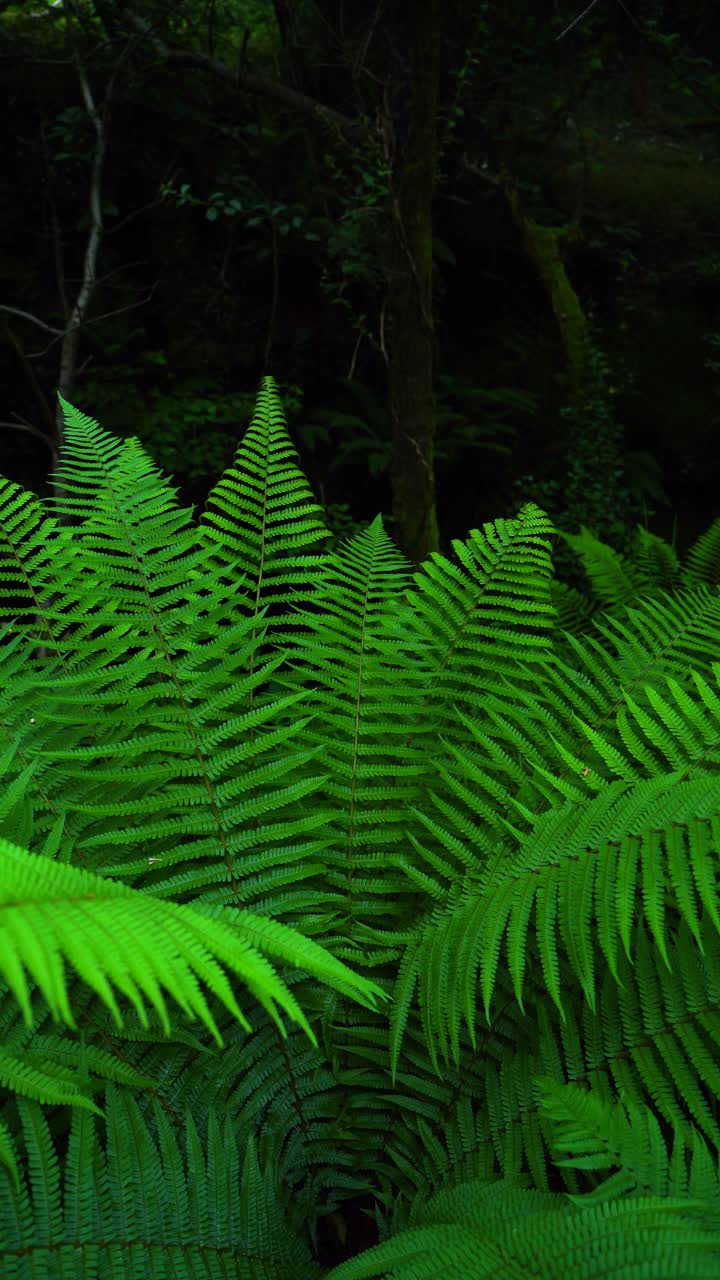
{"x":206,"y":1205}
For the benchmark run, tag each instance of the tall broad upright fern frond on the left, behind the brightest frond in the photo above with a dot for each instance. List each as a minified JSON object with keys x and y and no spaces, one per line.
{"x":151,"y":740}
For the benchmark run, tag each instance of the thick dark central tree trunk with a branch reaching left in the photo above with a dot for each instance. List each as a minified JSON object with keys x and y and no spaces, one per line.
{"x":414,"y":34}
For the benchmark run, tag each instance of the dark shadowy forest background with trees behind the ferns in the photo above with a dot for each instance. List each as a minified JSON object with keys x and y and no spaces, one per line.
{"x":477,"y":245}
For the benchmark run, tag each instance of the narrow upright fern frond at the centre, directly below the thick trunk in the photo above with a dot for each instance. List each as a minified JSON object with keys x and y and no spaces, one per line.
{"x":373,"y":743}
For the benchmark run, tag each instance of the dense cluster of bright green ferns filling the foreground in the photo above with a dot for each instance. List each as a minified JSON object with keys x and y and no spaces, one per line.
{"x":430,"y":861}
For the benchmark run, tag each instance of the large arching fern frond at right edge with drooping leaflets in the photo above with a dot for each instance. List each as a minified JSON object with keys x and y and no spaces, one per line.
{"x":578,"y":861}
